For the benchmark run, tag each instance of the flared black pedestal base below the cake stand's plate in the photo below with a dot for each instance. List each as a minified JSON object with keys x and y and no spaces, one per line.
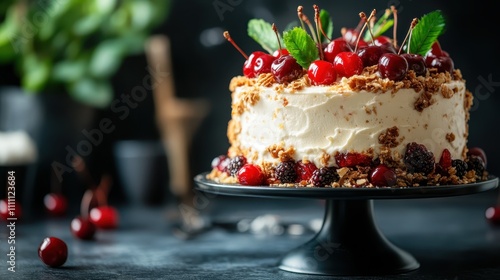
{"x":349,"y":243}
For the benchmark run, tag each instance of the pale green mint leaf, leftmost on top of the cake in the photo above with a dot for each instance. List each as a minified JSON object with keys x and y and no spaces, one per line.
{"x":262,"y":32}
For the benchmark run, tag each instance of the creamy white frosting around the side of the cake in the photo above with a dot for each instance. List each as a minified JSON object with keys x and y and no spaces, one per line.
{"x":317,"y":120}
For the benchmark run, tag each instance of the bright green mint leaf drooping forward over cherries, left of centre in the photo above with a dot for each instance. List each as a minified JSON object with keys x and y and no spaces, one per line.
{"x":301,"y":46}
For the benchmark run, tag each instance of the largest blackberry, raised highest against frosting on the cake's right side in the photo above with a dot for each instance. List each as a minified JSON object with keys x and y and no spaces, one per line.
{"x":418,"y":159}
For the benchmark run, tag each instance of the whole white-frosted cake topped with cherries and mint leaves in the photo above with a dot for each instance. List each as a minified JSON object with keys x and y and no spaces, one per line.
{"x":354,"y":113}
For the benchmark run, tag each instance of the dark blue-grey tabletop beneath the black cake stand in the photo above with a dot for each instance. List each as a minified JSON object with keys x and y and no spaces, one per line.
{"x":448,"y":236}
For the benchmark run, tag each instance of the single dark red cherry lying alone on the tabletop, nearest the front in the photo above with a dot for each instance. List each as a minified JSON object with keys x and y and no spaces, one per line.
{"x":53,"y":251}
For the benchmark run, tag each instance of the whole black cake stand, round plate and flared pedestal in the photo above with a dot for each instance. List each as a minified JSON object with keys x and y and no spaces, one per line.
{"x":349,"y":242}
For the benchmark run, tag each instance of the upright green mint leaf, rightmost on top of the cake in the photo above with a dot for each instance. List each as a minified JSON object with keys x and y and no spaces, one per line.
{"x":426,"y":32}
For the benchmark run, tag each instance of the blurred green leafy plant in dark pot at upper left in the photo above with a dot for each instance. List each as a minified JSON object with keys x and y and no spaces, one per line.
{"x":63,"y":54}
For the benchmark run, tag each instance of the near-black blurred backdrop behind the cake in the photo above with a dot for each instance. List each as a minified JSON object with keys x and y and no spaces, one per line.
{"x":204,"y":63}
